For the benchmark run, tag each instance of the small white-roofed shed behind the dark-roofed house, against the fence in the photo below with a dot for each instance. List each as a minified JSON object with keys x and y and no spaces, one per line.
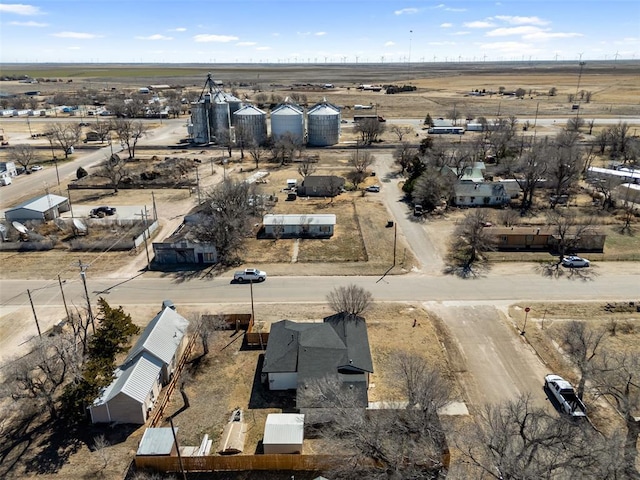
{"x":283,"y":433}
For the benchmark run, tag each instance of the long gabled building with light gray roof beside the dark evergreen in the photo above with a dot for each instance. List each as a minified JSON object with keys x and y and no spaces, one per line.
{"x":149,"y":365}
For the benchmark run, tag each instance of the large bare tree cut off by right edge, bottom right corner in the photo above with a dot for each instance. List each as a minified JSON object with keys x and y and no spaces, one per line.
{"x":617,"y":377}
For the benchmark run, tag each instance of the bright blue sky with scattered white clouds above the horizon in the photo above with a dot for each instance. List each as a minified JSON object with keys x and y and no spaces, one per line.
{"x":303,"y":31}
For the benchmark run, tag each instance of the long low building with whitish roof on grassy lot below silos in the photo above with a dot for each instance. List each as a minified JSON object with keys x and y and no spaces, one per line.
{"x":299,"y":225}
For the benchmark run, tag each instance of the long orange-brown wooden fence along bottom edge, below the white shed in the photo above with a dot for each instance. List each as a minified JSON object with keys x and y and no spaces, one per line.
{"x":238,"y":463}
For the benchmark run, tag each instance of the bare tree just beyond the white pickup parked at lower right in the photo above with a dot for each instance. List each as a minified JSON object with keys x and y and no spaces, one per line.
{"x":581,"y":344}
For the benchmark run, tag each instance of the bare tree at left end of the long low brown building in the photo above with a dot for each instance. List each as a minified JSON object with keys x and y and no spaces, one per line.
{"x":470,"y":241}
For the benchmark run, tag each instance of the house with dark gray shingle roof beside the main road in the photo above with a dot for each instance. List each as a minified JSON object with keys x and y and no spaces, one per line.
{"x":299,"y":354}
